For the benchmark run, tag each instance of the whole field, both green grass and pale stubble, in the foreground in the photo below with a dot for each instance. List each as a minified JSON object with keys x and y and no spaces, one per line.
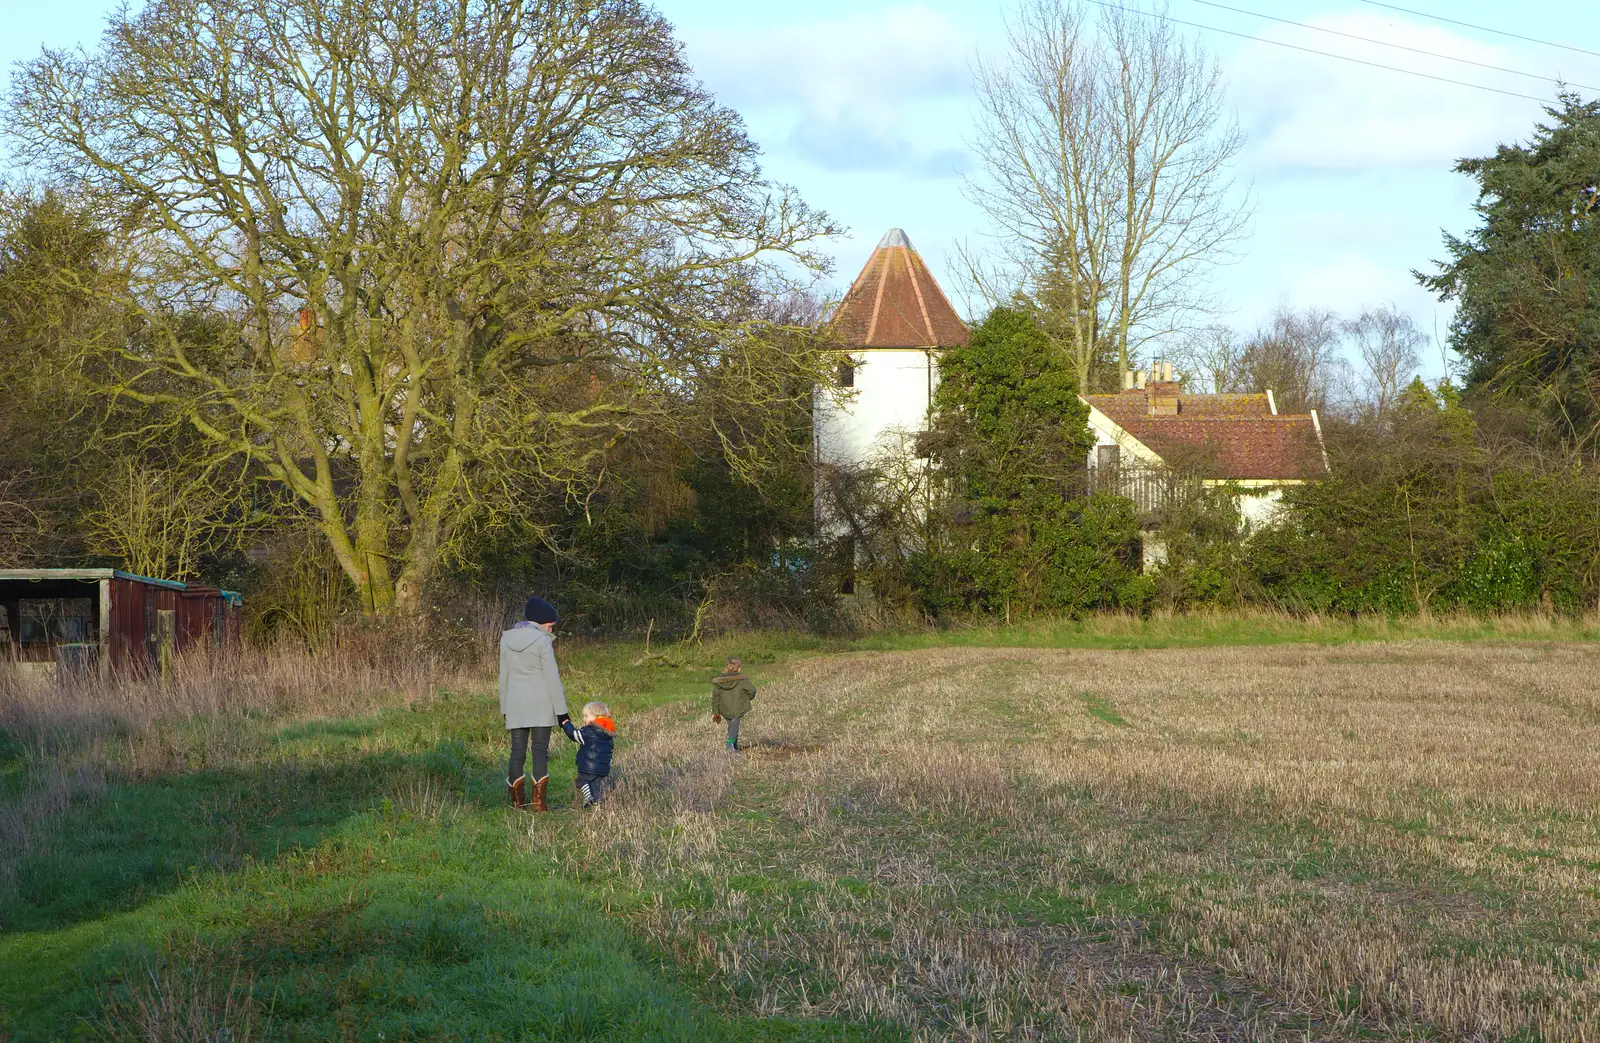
{"x":1170,"y":831}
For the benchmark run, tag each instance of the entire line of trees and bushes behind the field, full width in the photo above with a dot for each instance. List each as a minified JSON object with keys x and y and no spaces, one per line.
{"x":460,"y":340}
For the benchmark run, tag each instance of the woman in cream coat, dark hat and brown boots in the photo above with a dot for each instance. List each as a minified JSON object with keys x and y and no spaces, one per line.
{"x":532,"y":700}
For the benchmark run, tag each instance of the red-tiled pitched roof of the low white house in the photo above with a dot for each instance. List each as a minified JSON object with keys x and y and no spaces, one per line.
{"x":1239,"y":439}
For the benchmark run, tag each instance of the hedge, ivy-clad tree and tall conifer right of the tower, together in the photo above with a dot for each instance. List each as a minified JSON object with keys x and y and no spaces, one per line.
{"x":1481,"y":492}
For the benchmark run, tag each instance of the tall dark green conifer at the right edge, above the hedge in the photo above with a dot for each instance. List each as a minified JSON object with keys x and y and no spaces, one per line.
{"x":1527,"y":281}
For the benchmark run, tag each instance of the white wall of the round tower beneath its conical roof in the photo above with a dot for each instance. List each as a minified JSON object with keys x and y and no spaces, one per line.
{"x":892,"y":393}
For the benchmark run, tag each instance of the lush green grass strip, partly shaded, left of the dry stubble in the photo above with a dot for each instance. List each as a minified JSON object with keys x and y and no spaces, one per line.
{"x":356,"y":879}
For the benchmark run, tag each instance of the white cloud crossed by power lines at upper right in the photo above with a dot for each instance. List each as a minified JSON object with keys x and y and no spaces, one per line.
{"x":1306,"y":111}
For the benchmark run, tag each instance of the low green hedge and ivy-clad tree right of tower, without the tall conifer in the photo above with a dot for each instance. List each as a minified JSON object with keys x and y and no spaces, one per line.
{"x":1430,"y":505}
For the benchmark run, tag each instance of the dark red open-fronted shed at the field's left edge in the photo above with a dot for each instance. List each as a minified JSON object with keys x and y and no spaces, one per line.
{"x":108,"y":620}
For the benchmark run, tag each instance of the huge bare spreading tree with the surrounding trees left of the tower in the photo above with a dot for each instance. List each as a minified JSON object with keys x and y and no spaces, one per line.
{"x":511,"y":313}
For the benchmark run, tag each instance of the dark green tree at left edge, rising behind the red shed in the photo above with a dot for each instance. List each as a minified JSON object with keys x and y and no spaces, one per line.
{"x":86,"y":476}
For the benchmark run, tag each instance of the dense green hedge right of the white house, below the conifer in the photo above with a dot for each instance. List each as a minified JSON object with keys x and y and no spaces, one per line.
{"x":1422,"y":514}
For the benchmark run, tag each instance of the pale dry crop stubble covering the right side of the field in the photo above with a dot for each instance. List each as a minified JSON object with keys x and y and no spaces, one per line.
{"x":1268,"y":844}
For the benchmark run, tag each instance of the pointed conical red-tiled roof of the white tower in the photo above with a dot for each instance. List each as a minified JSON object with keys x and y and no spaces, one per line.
{"x":897,"y":303}
